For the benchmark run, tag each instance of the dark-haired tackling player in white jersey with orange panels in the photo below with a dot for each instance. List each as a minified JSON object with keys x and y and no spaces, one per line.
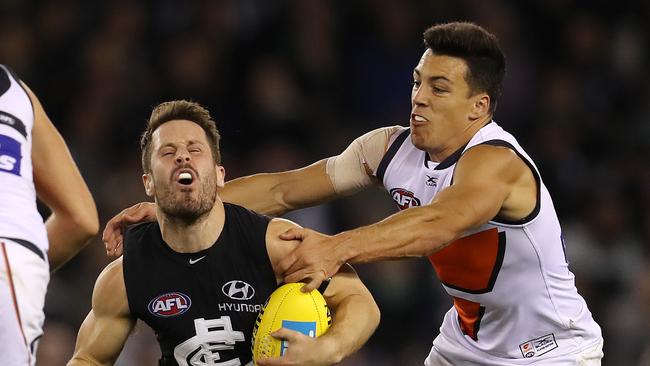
{"x":471,"y":200}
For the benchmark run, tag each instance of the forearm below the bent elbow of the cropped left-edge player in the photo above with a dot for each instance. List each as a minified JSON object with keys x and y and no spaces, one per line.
{"x":67,"y":236}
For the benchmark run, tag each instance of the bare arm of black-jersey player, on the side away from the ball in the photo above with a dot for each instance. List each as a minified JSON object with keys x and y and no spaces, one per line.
{"x":106,"y":328}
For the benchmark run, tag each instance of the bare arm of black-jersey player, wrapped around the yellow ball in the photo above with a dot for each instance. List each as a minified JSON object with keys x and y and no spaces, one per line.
{"x":355,"y":313}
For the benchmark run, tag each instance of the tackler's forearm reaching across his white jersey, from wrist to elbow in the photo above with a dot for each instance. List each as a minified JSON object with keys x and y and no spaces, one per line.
{"x":414,"y":232}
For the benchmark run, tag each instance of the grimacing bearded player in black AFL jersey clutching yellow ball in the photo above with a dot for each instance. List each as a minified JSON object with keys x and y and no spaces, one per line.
{"x":199,"y":277}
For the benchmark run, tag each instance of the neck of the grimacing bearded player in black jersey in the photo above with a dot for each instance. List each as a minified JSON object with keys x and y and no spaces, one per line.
{"x":193,"y":237}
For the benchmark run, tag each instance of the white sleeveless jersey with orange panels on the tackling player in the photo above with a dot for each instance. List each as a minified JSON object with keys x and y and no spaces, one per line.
{"x":513,"y":294}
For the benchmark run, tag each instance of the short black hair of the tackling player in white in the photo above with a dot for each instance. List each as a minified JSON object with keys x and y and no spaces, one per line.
{"x":479,"y":48}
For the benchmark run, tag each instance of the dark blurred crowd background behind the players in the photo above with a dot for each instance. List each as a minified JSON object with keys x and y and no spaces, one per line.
{"x":291,"y":82}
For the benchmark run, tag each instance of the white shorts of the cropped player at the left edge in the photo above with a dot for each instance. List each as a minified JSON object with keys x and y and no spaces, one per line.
{"x":24,"y":276}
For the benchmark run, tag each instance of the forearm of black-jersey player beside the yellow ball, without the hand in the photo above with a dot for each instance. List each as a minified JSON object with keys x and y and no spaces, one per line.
{"x":354,"y":321}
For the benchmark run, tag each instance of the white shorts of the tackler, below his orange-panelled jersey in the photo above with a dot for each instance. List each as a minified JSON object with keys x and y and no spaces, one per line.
{"x":589,"y":356}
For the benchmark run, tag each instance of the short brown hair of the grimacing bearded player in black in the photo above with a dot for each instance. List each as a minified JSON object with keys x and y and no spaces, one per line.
{"x":179,"y":110}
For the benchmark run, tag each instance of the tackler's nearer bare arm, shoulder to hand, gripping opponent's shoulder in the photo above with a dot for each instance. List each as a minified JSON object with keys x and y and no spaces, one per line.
{"x":488,"y":180}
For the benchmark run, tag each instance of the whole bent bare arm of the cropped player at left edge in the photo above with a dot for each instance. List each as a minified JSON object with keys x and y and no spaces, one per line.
{"x":60,"y":186}
